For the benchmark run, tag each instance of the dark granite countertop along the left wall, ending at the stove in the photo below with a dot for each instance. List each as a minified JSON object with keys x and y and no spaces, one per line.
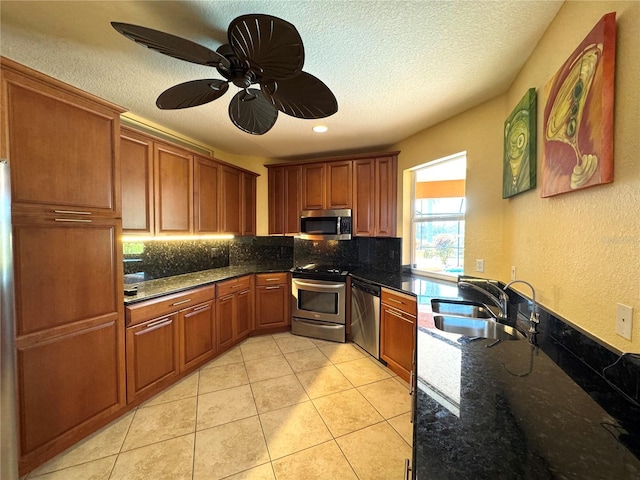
{"x":164,"y":286}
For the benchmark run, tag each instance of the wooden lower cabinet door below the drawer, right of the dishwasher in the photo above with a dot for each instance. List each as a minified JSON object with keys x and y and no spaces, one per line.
{"x":397,"y":340}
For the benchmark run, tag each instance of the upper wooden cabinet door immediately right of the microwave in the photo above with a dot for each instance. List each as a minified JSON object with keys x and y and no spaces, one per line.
{"x":364,"y":197}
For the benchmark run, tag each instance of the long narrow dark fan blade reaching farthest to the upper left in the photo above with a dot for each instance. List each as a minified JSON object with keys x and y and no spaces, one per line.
{"x":172,"y":45}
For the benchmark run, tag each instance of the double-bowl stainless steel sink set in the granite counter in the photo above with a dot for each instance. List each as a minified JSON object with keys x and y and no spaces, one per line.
{"x":471,"y":319}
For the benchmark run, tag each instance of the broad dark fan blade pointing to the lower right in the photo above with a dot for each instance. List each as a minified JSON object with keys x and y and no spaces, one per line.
{"x":303,"y":96}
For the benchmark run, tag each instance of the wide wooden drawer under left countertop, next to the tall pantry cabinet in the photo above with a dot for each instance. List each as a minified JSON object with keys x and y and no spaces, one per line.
{"x":143,"y":311}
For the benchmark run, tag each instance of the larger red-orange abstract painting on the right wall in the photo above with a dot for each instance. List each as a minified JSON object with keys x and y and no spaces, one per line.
{"x":578,"y":116}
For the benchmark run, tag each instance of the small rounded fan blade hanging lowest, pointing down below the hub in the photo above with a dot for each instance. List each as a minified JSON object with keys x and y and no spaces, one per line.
{"x":251,"y":112}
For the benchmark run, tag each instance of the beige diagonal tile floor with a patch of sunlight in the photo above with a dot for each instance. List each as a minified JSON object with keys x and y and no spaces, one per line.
{"x":274,"y":407}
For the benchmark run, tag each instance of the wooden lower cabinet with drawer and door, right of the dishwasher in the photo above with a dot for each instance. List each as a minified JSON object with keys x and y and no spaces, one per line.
{"x":398,"y":332}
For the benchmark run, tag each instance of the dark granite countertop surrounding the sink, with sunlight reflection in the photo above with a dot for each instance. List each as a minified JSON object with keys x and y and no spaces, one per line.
{"x":511,"y":410}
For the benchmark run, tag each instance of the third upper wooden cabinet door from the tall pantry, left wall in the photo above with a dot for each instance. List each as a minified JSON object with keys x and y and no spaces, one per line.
{"x":206,"y":186}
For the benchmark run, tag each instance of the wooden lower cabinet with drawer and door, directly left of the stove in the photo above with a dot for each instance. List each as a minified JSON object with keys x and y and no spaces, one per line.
{"x":272,"y":301}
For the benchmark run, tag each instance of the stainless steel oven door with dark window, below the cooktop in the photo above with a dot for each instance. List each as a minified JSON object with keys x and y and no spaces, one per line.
{"x":318,"y":300}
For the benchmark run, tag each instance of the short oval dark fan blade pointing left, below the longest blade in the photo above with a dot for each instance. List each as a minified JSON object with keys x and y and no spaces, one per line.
{"x":192,"y":94}
